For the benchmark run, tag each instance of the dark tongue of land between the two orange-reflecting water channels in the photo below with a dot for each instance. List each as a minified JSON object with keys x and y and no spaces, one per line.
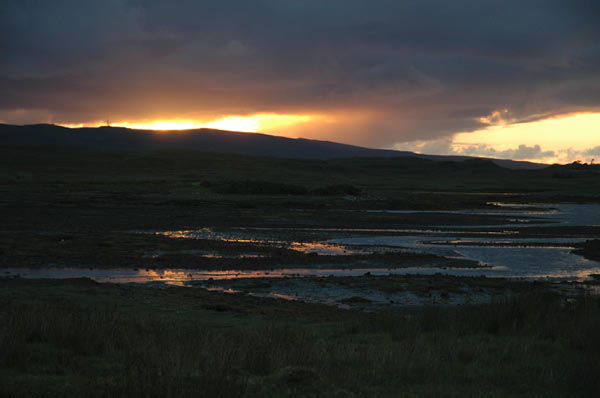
{"x":120,"y":249}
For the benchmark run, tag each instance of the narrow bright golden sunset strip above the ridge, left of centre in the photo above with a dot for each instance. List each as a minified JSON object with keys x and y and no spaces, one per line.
{"x":247,"y":124}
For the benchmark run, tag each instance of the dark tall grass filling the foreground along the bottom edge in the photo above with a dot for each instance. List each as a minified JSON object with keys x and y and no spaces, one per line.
{"x":534,"y":345}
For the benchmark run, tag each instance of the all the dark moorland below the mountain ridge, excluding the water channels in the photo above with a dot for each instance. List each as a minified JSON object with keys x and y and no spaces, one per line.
{"x":90,"y":208}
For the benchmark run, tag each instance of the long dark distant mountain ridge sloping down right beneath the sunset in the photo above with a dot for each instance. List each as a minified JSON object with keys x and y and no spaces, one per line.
{"x":124,"y":139}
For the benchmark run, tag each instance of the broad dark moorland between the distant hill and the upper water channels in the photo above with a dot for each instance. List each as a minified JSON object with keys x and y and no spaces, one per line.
{"x":61,"y":189}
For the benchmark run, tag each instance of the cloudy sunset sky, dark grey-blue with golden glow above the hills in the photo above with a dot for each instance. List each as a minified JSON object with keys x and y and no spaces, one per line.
{"x":507,"y":79}
